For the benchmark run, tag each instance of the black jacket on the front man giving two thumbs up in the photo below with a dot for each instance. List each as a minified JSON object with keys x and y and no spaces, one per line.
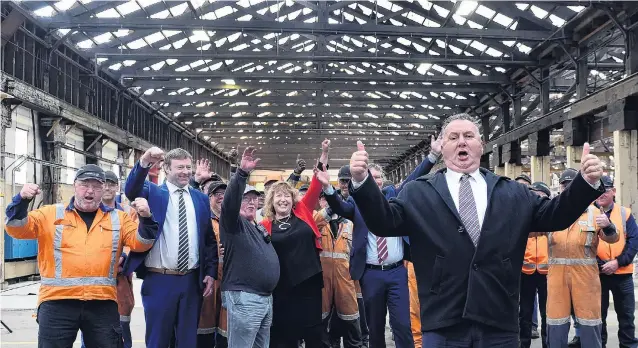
{"x":457,"y":281}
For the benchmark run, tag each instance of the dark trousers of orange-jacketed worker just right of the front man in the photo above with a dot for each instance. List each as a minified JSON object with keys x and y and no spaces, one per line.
{"x":530,"y":284}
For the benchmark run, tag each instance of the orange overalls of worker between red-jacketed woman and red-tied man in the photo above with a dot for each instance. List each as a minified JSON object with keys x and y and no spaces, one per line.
{"x":338,"y":289}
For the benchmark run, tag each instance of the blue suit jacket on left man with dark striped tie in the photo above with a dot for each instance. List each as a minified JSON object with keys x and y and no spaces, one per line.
{"x":157,"y":196}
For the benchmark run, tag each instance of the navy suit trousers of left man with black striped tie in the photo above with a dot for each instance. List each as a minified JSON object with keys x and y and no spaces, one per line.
{"x":171,"y":308}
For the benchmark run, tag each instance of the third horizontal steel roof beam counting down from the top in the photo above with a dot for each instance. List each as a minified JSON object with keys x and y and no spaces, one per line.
{"x":276,"y":85}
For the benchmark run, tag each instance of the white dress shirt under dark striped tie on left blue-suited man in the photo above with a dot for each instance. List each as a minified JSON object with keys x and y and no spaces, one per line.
{"x":163,"y":254}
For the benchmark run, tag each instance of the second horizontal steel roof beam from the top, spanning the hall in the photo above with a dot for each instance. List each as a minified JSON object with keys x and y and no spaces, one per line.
{"x":452,"y":59}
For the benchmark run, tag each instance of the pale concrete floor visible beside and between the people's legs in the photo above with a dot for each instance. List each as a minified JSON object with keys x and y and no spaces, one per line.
{"x":18,"y":309}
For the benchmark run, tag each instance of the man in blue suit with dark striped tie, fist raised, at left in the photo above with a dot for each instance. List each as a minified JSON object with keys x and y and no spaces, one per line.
{"x":182,"y":264}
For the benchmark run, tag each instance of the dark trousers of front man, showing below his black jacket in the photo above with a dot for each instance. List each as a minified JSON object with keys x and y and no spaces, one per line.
{"x":470,"y":334}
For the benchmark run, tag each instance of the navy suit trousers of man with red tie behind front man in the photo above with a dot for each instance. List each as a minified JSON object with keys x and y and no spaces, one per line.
{"x":383,"y":291}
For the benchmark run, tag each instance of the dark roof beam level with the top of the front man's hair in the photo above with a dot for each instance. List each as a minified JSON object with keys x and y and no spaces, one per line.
{"x":211,"y":121}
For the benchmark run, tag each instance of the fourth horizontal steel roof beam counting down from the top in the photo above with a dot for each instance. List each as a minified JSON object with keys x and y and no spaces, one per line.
{"x":330,"y":100}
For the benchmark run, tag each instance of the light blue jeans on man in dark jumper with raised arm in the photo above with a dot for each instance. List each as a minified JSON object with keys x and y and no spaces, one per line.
{"x":249,"y":319}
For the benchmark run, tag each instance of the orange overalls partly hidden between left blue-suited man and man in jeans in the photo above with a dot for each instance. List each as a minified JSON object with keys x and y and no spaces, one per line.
{"x":213,"y":317}
